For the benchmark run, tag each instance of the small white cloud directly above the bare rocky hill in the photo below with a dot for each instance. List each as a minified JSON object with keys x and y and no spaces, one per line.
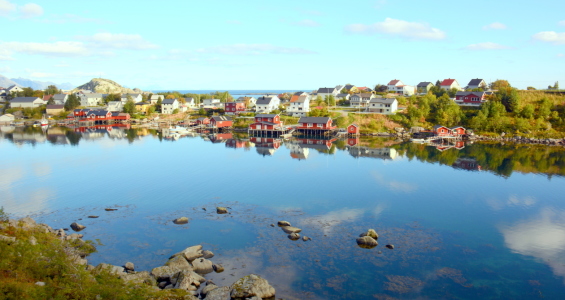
{"x":118,"y":41}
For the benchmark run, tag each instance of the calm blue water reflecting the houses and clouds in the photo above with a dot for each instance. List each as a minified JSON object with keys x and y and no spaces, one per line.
{"x":483,"y":222}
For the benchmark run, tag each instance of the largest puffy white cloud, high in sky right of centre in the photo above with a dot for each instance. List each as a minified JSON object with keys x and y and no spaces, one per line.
{"x":399,"y":28}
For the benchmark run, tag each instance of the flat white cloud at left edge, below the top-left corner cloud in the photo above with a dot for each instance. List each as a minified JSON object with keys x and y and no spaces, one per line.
{"x":48,"y":49}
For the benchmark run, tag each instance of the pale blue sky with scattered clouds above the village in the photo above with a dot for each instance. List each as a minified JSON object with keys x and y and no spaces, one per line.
{"x":295,"y":45}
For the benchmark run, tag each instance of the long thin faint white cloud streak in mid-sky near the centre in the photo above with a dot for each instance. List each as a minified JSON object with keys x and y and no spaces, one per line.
{"x":254,"y":49}
